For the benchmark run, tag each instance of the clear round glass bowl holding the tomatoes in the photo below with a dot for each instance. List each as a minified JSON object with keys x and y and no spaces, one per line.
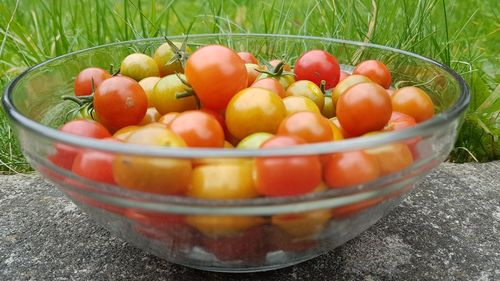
{"x":236,"y":235}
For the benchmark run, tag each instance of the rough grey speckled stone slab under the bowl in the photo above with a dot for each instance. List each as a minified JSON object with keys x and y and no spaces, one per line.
{"x":448,"y":229}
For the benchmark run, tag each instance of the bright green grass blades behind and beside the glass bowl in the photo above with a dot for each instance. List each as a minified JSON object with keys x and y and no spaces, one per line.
{"x":462,"y":34}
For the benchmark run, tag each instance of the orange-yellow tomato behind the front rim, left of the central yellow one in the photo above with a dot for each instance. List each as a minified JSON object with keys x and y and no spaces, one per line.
{"x":151,"y":174}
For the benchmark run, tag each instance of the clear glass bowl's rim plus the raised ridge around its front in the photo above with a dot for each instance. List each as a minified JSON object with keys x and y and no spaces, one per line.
{"x":257,"y":206}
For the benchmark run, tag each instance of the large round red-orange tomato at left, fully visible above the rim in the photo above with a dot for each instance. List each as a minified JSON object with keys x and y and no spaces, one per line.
{"x":120,"y":102}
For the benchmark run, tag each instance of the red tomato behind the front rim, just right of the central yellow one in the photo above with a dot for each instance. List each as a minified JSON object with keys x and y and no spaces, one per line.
{"x":286,"y":176}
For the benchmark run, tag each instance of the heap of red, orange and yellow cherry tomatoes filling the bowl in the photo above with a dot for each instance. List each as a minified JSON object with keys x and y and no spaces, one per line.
{"x":215,"y":97}
